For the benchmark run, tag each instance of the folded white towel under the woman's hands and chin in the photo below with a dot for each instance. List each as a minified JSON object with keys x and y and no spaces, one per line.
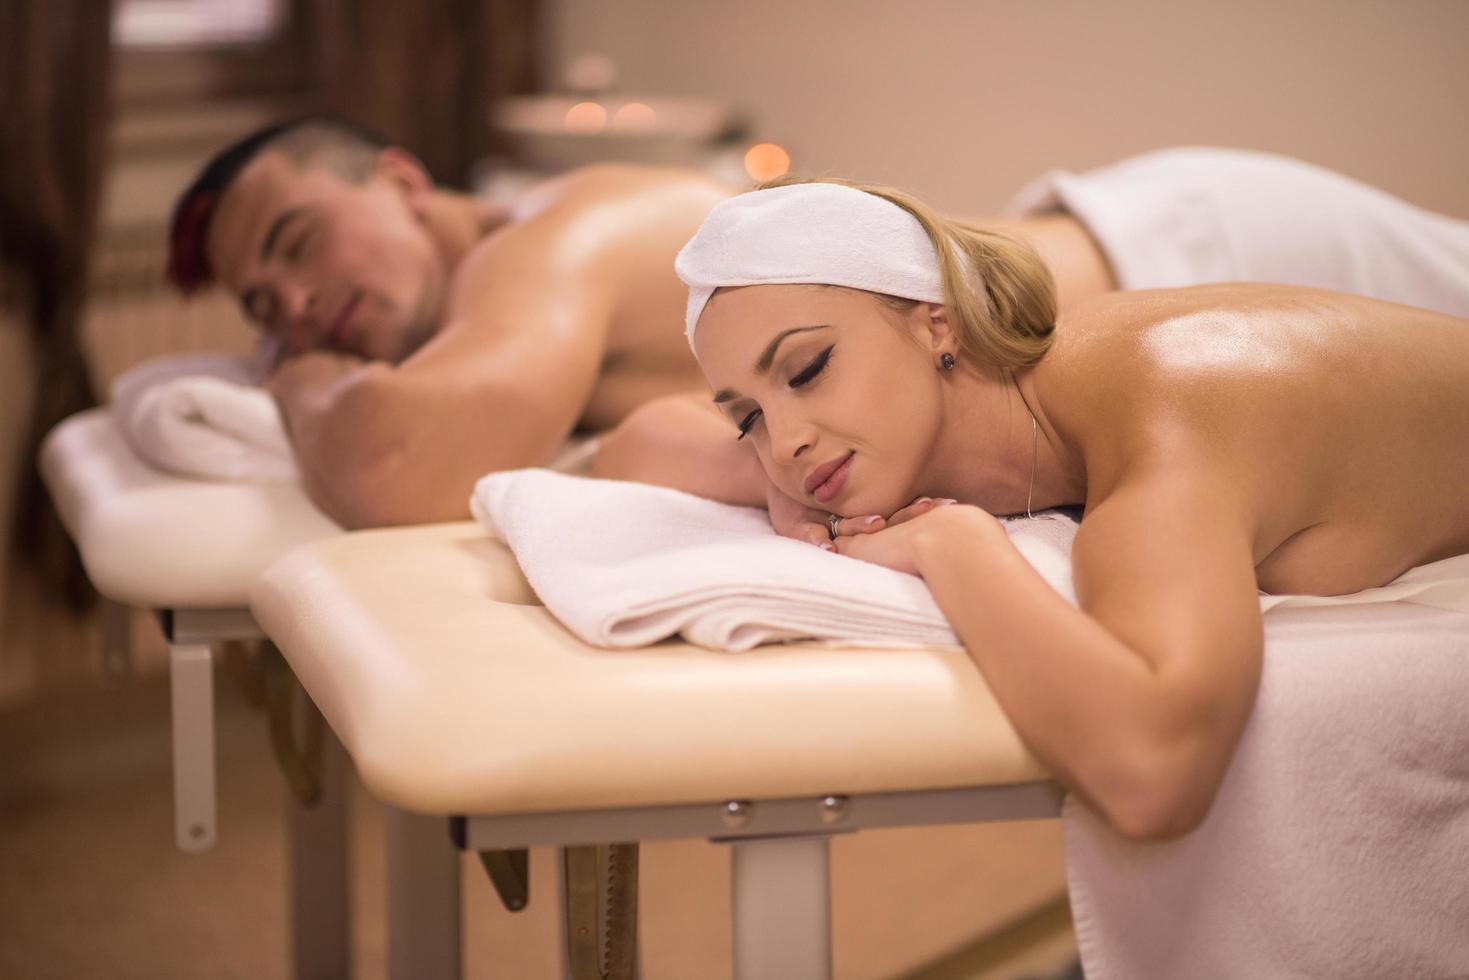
{"x":629,"y":565}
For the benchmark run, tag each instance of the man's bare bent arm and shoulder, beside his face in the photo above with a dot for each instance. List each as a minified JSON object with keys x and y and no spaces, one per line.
{"x":500,"y":387}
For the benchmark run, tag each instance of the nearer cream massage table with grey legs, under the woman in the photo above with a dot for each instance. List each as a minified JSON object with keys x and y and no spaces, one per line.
{"x":481,"y":722}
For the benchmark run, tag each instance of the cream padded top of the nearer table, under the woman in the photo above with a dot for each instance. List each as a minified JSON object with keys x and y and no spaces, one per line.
{"x":458,"y":694}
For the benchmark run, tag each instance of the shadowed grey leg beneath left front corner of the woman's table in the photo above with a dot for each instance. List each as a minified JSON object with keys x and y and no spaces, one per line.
{"x":424,"y":898}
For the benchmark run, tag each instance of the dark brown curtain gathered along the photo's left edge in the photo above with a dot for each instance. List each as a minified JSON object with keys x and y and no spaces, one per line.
{"x":55,"y":109}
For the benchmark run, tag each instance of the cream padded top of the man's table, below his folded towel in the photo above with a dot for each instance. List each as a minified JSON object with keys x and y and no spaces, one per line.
{"x":161,"y":541}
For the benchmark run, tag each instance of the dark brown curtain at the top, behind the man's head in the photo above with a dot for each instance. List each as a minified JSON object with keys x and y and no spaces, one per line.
{"x":422,"y":74}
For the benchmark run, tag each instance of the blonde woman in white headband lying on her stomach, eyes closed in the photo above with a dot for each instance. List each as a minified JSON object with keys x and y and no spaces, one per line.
{"x":907,"y":375}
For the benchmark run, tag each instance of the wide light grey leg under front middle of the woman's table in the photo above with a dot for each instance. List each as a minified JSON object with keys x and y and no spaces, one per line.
{"x":782,"y":909}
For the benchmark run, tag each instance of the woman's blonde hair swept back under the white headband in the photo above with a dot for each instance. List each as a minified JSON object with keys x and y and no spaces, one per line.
{"x":1013,"y":323}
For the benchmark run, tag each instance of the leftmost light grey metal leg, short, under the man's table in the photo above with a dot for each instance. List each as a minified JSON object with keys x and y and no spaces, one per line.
{"x":192,"y":677}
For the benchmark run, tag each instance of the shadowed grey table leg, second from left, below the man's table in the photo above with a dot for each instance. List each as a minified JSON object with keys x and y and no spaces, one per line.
{"x":321,"y":932}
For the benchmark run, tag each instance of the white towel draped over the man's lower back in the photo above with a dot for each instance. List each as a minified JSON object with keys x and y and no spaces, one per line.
{"x":1195,"y":215}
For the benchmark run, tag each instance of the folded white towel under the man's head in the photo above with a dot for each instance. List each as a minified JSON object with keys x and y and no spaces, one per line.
{"x":205,"y":417}
